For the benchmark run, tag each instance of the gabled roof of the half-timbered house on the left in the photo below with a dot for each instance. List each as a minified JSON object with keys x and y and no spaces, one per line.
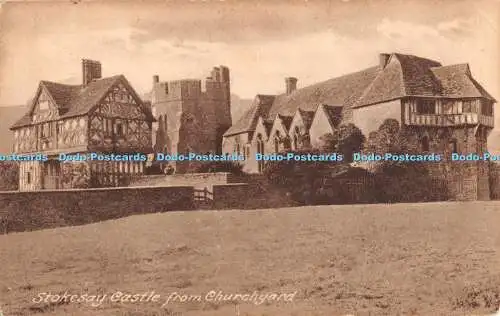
{"x":75,"y":100}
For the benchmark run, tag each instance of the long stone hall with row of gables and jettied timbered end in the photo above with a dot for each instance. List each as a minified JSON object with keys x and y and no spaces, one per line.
{"x":442,"y":108}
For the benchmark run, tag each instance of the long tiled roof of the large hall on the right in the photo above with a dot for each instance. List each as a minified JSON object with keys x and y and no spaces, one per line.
{"x":401,"y":76}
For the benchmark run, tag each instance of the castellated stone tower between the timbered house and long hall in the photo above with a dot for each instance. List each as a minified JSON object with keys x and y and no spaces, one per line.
{"x":192,"y":115}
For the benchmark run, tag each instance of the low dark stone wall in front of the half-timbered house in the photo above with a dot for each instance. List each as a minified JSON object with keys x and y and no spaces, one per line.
{"x":27,"y":211}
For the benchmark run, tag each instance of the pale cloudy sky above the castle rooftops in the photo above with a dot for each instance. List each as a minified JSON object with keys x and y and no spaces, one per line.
{"x":261,"y":42}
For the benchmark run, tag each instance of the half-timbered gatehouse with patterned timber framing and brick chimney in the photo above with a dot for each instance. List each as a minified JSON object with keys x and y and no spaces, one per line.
{"x":102,"y":115}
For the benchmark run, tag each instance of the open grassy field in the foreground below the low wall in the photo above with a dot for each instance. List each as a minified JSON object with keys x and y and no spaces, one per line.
{"x":406,"y":259}
